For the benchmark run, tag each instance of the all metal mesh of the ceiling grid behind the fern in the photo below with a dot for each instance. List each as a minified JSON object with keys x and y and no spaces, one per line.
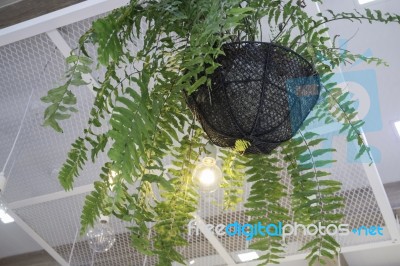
{"x":36,"y":64}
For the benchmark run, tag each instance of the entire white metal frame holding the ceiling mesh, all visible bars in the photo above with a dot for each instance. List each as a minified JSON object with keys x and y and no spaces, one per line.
{"x":48,"y":24}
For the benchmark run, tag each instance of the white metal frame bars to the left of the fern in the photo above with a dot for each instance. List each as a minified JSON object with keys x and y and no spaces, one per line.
{"x":48,"y":24}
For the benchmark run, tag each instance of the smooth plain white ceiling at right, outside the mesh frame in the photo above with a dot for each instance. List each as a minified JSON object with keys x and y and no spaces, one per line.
{"x":380,"y":41}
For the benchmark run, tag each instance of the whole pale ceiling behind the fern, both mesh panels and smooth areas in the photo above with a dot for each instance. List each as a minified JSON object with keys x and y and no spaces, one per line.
{"x":35,"y":65}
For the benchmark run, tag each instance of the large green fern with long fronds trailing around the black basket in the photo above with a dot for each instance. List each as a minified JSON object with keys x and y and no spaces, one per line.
{"x":152,"y":51}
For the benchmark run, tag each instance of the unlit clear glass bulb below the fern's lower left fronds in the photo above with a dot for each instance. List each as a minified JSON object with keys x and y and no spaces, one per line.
{"x":101,"y":236}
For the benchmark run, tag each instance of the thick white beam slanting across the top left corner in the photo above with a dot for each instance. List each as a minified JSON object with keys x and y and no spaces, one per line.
{"x":56,"y":19}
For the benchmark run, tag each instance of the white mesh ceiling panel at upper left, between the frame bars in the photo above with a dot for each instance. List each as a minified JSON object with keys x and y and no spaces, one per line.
{"x":36,"y":64}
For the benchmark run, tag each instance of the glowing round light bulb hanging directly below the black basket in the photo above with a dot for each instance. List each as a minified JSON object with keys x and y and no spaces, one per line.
{"x":207,"y":175}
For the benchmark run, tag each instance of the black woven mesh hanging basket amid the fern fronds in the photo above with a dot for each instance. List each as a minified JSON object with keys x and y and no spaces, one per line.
{"x":261,"y":93}
